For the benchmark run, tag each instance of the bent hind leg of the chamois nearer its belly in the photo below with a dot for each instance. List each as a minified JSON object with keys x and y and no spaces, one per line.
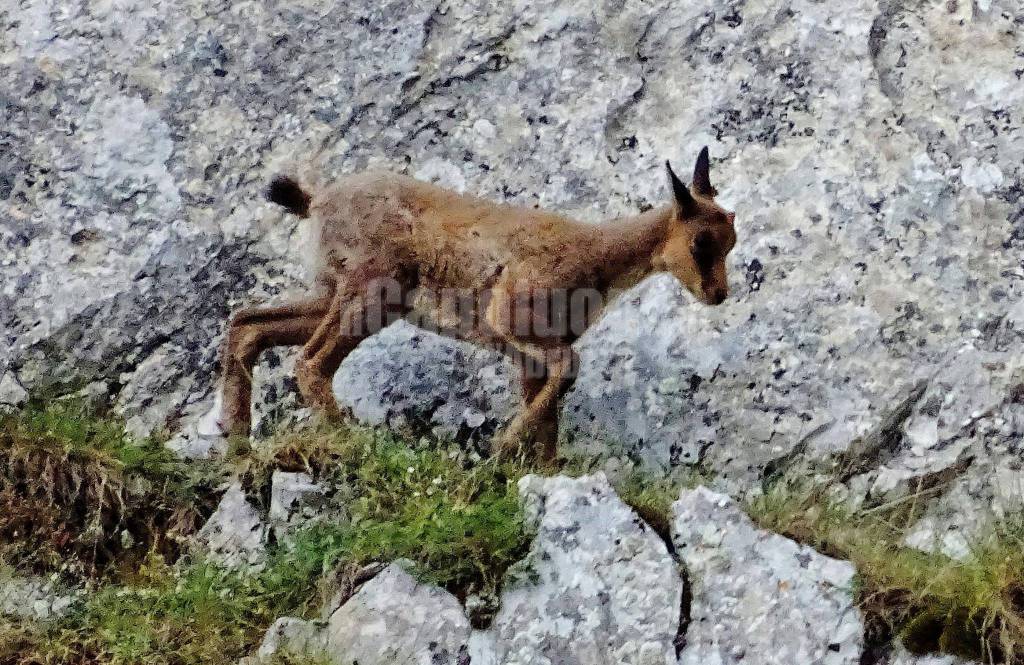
{"x":349,"y":321}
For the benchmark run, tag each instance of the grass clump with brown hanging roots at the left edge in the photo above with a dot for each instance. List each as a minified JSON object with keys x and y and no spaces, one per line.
{"x":80,"y":497}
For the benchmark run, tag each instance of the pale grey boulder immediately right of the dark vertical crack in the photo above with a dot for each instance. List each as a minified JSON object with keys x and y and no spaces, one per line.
{"x":759,"y":599}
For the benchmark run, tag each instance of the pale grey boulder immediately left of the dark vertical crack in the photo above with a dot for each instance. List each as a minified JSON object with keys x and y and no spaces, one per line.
{"x":598,"y":587}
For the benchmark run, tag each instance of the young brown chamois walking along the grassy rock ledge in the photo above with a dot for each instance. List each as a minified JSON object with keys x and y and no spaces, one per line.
{"x":383,"y":241}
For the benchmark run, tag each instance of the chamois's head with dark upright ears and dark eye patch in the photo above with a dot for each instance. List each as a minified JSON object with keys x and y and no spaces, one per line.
{"x":701,"y":236}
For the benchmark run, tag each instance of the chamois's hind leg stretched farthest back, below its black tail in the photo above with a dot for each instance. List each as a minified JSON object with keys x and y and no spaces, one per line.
{"x":252,"y":331}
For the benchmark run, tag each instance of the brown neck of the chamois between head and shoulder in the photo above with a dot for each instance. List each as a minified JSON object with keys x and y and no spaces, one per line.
{"x":627,"y":246}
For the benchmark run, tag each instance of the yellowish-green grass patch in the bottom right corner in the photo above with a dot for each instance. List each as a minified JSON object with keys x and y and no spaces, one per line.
{"x":972,"y":608}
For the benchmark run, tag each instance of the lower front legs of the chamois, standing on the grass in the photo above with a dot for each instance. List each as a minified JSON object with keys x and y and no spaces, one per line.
{"x":539,"y":420}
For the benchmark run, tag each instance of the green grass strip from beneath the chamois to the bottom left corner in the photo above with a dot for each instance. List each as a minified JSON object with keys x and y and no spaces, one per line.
{"x":461,"y":524}
